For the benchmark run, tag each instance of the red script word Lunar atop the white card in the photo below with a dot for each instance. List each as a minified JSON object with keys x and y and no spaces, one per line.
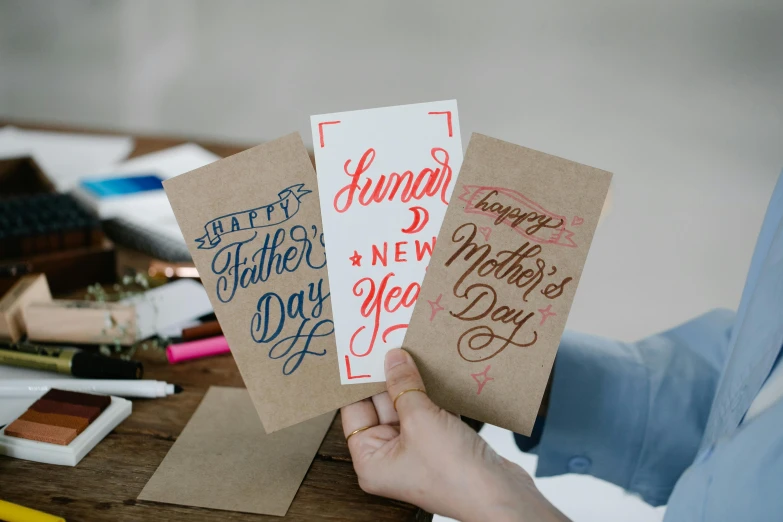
{"x":427,"y":183}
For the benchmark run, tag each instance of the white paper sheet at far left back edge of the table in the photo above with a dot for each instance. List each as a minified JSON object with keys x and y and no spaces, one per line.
{"x":64,"y":157}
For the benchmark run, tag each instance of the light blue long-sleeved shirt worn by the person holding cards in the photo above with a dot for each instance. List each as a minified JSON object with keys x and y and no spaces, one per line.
{"x":662,"y":417}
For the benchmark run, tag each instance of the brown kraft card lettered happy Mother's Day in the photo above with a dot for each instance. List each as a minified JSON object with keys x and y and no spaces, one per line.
{"x":502,"y":278}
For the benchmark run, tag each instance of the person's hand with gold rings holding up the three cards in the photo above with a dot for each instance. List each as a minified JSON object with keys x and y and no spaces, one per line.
{"x":424,"y":455}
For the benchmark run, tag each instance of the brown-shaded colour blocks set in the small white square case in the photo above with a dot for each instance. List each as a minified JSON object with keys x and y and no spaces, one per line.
{"x":58,"y":417}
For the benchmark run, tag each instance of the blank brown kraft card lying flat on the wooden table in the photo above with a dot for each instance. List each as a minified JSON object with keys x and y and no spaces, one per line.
{"x":224,"y":460}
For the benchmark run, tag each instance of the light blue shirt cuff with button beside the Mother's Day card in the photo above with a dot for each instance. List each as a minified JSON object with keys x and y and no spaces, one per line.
{"x":597,"y":412}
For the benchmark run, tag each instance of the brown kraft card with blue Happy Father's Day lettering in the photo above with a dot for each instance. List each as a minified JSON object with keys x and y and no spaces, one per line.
{"x":253,"y":226}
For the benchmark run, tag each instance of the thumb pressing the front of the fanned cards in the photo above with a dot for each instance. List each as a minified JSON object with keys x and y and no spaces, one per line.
{"x":403,"y":376}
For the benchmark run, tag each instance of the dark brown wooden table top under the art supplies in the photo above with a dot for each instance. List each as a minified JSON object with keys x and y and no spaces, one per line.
{"x":105,"y":484}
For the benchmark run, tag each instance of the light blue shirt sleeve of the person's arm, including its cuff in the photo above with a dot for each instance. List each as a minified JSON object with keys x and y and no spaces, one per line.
{"x":634,"y":413}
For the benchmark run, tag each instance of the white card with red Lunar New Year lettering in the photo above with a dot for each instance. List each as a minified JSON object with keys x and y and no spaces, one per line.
{"x":385,"y":177}
